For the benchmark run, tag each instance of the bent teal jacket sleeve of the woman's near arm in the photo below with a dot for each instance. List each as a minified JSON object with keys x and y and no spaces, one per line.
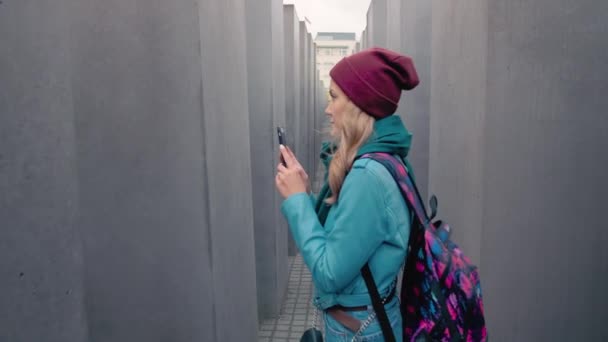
{"x":336,"y":257}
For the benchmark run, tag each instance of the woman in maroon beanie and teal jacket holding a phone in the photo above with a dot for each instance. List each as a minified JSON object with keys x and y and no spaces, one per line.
{"x":360,"y":216}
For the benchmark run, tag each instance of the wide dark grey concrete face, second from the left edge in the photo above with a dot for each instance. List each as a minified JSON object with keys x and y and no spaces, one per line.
{"x":143,"y":214}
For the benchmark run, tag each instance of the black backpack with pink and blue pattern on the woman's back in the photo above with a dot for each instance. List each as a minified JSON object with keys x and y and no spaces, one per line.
{"x":441,"y":292}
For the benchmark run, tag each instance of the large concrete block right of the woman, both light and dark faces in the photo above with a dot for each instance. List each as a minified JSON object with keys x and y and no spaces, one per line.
{"x":517,"y":152}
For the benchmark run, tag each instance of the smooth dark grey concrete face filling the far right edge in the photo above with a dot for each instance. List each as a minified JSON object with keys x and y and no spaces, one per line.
{"x":543,"y":159}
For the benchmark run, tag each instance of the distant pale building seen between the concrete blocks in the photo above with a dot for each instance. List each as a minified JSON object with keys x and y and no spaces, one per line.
{"x":331,"y":48}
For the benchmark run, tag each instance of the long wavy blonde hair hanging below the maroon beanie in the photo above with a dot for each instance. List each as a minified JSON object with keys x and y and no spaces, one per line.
{"x":357,"y":127}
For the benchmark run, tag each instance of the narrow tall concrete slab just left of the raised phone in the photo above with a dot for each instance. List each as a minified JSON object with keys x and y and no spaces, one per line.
{"x":265,"y":97}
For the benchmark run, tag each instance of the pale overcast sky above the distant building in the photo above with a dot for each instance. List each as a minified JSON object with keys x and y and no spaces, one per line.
{"x":333,"y":15}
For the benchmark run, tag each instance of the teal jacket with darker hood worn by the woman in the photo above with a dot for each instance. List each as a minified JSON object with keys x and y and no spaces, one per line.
{"x":369,"y":223}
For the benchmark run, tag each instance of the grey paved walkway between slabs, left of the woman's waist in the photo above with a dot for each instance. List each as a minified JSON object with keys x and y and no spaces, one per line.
{"x":297,"y":311}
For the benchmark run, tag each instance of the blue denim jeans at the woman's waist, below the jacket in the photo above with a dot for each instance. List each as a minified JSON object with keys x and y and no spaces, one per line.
{"x":336,"y":332}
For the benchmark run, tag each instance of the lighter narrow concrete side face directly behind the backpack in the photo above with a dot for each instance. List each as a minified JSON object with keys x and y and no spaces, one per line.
{"x":457,"y":119}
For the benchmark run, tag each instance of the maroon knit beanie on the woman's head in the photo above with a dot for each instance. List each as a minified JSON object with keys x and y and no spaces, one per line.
{"x":373,"y":79}
